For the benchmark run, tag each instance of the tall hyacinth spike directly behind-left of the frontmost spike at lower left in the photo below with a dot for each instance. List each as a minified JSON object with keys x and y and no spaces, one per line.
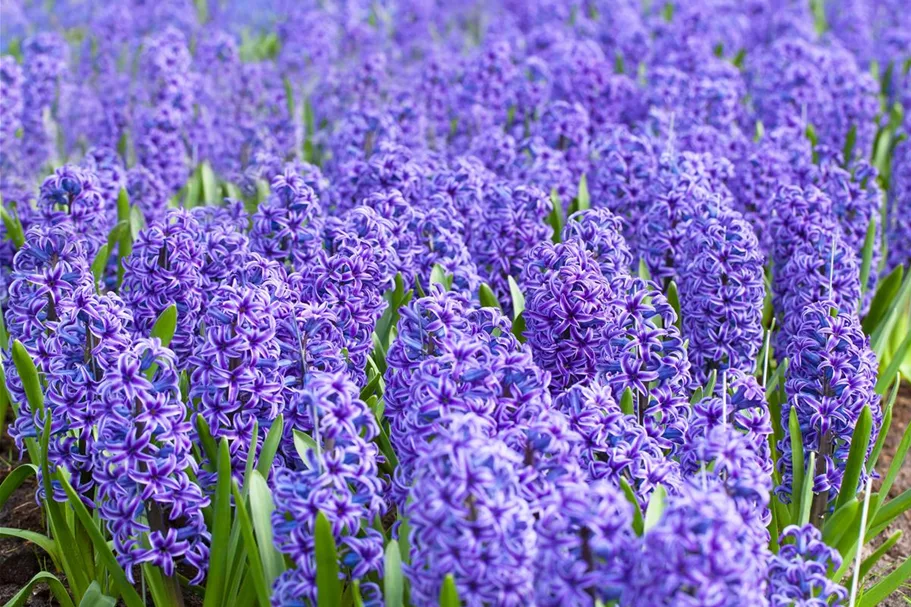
{"x":92,"y":332}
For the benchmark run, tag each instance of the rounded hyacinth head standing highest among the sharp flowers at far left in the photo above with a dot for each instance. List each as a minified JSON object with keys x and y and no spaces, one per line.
{"x":73,"y":196}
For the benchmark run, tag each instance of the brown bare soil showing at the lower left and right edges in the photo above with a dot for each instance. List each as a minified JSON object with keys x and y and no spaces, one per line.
{"x":20,"y":560}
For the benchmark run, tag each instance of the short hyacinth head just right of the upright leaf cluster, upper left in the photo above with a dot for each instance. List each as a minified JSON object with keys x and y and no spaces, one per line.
{"x":288,"y":226}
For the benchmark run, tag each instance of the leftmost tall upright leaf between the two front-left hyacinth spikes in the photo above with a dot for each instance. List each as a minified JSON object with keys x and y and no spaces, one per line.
{"x":221,"y":530}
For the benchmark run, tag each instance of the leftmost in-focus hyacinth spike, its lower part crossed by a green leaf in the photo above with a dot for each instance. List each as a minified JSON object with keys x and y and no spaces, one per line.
{"x":49,"y":268}
